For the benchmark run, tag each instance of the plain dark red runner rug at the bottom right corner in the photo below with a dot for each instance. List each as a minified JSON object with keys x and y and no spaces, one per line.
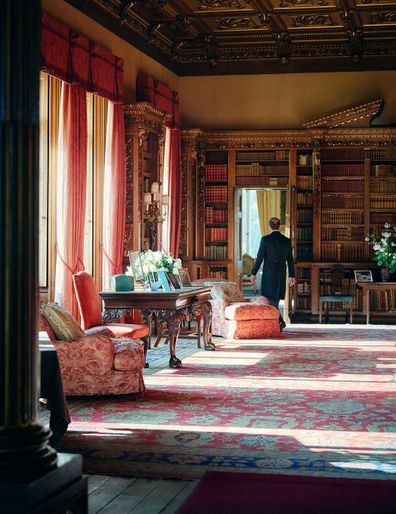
{"x":248,"y":493}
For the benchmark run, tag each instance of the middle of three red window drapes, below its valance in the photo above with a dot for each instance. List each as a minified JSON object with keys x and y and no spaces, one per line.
{"x":114,"y":199}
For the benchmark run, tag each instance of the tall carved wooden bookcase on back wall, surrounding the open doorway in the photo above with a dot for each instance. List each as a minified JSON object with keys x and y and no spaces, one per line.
{"x":341,"y":185}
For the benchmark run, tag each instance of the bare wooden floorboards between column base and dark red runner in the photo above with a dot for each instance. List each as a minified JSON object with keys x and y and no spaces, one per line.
{"x":117,"y":495}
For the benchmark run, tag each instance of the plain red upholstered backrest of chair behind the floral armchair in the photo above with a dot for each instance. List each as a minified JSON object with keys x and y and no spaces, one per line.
{"x":89,"y":302}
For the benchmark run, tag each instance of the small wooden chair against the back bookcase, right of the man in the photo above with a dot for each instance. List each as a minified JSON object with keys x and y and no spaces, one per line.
{"x":336,"y":286}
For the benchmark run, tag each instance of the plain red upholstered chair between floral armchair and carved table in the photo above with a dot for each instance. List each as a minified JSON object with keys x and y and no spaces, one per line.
{"x":90,"y":307}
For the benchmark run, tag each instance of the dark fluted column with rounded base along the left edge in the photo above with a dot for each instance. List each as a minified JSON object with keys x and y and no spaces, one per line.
{"x":24,"y":449}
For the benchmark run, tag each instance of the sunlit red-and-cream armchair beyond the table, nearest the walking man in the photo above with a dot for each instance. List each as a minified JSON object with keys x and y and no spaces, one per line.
{"x":234,"y":317}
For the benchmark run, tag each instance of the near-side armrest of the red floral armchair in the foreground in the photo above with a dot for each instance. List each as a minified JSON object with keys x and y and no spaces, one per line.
{"x":93,"y":354}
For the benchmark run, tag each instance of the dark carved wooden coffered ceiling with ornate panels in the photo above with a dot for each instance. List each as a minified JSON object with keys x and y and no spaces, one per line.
{"x":211,"y":37}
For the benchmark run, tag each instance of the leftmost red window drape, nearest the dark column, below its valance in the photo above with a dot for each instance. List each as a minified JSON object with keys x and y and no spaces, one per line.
{"x":71,"y":193}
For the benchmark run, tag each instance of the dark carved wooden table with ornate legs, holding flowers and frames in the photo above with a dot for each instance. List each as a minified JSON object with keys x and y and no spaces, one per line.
{"x":171,"y":308}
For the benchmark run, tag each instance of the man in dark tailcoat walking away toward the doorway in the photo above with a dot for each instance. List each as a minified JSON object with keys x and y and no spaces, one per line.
{"x":275,"y":250}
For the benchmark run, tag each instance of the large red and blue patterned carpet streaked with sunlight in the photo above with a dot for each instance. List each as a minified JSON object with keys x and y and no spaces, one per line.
{"x":319,"y":400}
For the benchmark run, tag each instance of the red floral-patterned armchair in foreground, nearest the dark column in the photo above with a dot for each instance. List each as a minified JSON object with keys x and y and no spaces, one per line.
{"x":97,"y":364}
